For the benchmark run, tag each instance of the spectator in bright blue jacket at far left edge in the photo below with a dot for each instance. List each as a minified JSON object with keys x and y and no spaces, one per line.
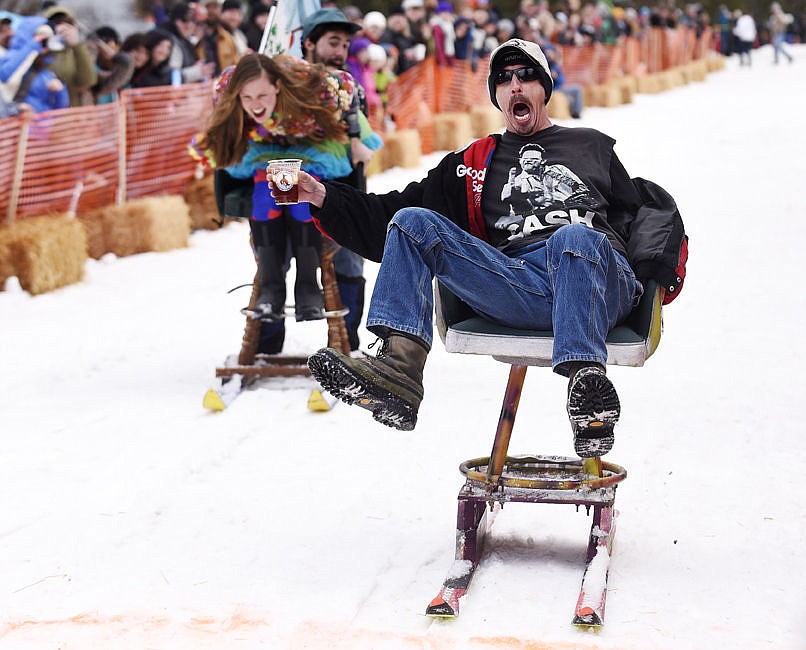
{"x":24,"y":74}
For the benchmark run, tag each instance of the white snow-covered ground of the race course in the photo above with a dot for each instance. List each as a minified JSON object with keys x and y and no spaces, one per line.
{"x":132,"y":518}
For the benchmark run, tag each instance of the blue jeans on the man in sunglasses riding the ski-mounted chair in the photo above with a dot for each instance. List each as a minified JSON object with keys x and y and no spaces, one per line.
{"x":573,"y":282}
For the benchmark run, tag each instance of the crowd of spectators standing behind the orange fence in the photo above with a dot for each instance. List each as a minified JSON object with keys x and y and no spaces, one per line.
{"x":51,"y":60}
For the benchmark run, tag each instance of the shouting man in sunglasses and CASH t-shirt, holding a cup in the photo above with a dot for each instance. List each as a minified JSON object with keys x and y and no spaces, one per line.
{"x":537,"y":228}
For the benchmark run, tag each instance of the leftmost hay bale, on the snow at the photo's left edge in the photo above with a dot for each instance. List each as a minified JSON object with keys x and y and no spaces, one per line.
{"x":46,"y":252}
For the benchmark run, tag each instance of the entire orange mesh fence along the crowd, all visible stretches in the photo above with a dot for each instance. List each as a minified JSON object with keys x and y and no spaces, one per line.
{"x":84,"y":158}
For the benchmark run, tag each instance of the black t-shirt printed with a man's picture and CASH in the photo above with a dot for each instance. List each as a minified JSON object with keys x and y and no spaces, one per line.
{"x":538,"y":183}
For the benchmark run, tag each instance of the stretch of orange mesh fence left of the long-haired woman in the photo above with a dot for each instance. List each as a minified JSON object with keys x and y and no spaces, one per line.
{"x":78,"y":159}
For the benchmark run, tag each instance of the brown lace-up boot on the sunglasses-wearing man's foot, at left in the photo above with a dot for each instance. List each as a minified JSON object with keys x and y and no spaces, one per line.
{"x":389,"y":385}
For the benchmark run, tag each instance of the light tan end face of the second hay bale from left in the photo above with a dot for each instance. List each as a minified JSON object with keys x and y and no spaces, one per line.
{"x":162,"y":222}
